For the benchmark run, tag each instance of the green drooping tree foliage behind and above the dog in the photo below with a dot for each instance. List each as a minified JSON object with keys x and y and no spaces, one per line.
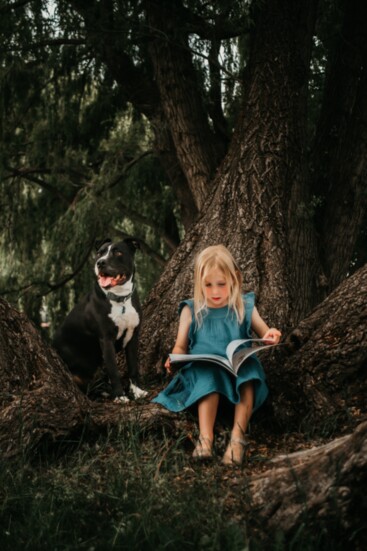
{"x":74,"y":154}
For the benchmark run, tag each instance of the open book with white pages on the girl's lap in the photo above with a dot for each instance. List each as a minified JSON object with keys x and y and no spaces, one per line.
{"x":237,"y":353}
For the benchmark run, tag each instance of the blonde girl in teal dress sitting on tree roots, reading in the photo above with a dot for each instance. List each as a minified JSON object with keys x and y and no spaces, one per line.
{"x":217,"y":315}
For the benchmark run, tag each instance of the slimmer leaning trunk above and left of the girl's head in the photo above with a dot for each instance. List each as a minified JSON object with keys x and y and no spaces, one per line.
{"x":177,"y":82}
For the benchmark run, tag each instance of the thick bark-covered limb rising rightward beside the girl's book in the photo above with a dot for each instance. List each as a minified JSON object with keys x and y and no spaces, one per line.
{"x":323,"y":381}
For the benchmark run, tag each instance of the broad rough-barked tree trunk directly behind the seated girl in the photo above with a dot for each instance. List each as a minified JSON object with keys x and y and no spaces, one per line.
{"x":253,"y":210}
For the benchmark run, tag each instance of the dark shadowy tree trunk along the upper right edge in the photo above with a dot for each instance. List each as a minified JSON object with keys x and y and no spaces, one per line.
{"x":340,"y":158}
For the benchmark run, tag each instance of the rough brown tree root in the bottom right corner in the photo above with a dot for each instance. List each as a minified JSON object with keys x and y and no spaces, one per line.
{"x":322,"y":487}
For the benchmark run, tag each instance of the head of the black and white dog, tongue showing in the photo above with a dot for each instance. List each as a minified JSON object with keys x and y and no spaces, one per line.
{"x":115,"y":262}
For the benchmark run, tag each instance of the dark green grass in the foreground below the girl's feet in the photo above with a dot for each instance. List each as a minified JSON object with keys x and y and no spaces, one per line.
{"x":135,"y":491}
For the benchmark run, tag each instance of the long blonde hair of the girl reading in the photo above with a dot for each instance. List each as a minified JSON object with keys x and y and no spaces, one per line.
{"x":217,"y":257}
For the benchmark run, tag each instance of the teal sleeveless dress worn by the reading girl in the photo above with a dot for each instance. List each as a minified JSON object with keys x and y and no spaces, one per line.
{"x":196,"y":379}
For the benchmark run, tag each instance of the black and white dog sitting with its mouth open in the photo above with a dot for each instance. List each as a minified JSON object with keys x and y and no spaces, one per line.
{"x":105,"y":321}
